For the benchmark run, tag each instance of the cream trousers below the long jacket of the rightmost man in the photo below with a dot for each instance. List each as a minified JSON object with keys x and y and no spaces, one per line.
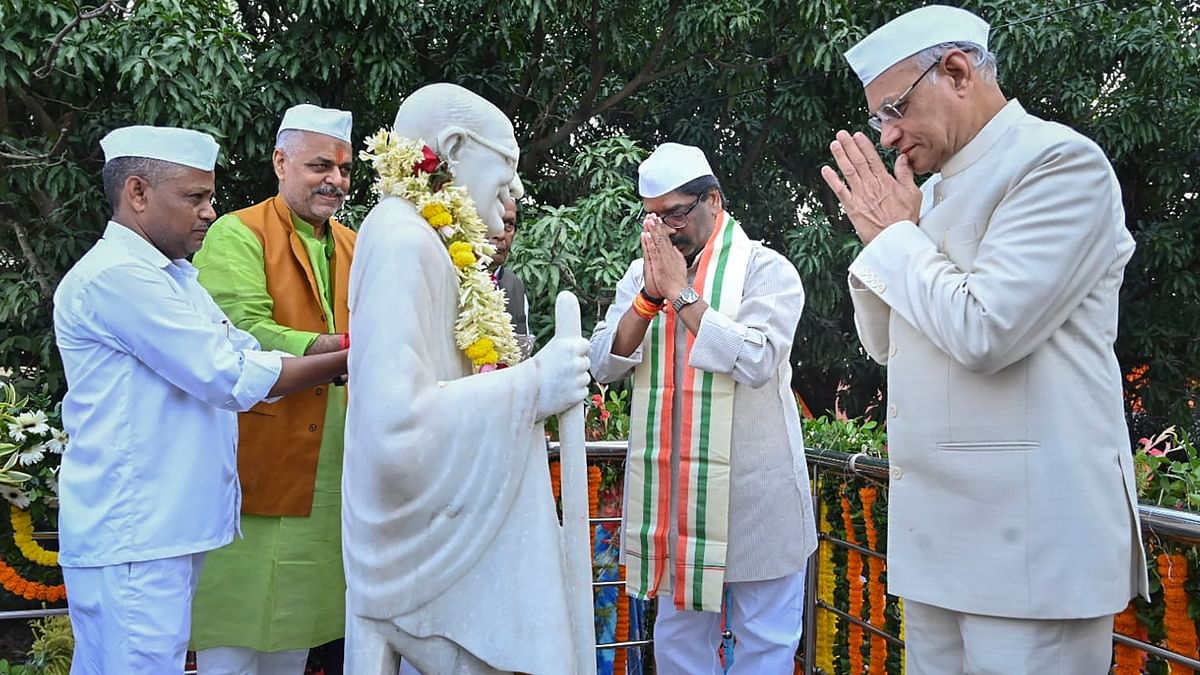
{"x":943,"y":642}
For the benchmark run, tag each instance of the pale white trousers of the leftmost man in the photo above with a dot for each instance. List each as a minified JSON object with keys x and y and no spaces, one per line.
{"x":133,"y":618}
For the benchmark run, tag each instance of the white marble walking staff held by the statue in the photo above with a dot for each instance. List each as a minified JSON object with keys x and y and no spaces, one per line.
{"x":577,"y":529}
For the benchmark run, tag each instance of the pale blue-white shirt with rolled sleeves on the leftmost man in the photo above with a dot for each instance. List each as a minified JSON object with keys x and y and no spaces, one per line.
{"x":157,"y":375}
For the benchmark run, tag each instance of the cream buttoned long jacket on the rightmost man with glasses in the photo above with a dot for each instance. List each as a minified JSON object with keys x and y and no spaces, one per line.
{"x":1012,"y":488}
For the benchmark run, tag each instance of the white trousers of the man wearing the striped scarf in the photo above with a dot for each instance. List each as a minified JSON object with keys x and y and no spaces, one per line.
{"x":765,"y":617}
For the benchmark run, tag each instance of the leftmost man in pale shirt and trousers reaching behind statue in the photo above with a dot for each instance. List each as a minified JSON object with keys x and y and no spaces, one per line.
{"x":155,"y":378}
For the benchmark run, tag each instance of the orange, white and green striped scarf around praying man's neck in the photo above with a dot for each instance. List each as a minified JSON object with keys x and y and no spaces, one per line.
{"x":705,"y":440}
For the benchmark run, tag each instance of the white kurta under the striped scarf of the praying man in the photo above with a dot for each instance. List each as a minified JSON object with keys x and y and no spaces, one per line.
{"x":772,"y":528}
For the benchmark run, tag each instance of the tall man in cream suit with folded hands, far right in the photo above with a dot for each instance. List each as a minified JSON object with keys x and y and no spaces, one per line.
{"x":991,"y":294}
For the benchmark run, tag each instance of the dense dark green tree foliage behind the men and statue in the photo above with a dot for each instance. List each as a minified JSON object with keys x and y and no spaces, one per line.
{"x":592,"y":87}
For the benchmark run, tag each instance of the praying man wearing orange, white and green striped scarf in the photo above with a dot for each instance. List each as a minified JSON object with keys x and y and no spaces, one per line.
{"x":718,"y":512}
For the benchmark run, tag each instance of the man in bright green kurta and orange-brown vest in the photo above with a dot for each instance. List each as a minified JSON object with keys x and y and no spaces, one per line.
{"x":280,"y":270}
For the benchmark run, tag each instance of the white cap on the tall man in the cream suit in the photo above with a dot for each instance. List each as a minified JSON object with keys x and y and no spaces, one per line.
{"x":911,"y":33}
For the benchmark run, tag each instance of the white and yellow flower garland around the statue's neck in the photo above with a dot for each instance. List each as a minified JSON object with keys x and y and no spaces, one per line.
{"x":411,"y":170}
